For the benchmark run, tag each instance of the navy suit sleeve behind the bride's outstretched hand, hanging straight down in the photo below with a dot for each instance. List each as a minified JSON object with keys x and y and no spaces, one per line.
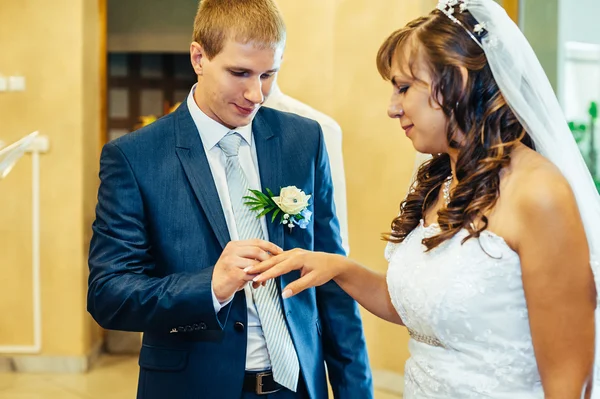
{"x":343,"y":339}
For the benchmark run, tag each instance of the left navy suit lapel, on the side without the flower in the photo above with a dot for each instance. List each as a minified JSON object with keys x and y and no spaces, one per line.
{"x":191,"y":154}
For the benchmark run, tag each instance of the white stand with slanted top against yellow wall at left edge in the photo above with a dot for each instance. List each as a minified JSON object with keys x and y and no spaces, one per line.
{"x":34,"y":144}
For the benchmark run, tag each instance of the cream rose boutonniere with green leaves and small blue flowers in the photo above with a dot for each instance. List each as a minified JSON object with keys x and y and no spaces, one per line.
{"x":291,"y":206}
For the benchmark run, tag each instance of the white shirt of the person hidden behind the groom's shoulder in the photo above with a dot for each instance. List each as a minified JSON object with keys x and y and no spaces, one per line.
{"x":332,"y":132}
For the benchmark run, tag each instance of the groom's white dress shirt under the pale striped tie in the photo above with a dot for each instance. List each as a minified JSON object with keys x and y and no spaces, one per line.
{"x":211,"y":132}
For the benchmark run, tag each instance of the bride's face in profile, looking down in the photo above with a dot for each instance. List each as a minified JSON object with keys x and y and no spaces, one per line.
{"x":420,"y":115}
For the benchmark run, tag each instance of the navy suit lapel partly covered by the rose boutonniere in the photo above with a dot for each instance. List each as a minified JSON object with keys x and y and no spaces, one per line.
{"x":268,"y":151}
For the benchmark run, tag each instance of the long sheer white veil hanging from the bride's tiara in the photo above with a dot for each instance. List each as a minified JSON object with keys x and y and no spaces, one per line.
{"x":528,"y":92}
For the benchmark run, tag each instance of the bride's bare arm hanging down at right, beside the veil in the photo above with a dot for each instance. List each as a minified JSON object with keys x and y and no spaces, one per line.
{"x":558,"y":283}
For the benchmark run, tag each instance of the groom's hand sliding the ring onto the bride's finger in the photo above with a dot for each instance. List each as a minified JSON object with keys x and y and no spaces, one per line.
{"x":229,"y":275}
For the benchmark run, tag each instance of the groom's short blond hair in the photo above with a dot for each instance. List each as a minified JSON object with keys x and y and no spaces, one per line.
{"x":256,"y":21}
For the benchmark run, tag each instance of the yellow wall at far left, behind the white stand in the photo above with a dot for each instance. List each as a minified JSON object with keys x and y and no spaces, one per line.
{"x":55,"y":46}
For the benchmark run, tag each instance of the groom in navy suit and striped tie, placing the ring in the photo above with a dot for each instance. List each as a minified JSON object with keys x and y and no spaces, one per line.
{"x":173,"y":236}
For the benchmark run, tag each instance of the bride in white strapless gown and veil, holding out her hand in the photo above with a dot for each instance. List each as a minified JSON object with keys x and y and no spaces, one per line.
{"x":489,"y":258}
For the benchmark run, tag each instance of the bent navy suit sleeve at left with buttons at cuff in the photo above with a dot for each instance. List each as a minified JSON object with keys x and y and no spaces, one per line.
{"x":123,"y":294}
